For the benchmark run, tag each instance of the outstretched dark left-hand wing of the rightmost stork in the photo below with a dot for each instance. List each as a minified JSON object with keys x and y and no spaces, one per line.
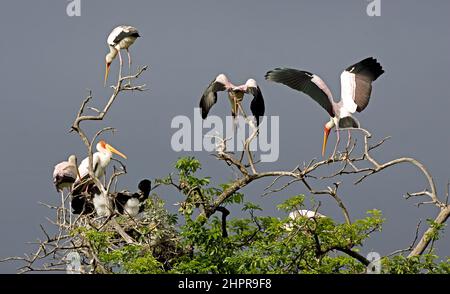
{"x":306,"y":82}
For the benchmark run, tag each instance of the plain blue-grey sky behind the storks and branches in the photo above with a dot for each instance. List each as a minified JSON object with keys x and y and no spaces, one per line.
{"x":48,"y":60}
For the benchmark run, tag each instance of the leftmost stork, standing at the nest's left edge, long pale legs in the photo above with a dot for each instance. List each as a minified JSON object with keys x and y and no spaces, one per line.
{"x":64,"y":175}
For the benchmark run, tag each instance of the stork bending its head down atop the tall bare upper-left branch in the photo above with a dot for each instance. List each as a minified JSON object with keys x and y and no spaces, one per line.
{"x":121,"y":37}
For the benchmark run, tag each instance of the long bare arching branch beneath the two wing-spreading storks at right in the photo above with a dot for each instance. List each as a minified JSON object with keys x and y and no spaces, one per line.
{"x":347,"y":162}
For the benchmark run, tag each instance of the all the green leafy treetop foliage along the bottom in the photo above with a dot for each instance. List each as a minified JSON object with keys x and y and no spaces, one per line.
{"x":254,"y":244}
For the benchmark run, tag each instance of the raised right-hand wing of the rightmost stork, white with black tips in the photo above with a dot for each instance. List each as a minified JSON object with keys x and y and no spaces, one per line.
{"x":356,"y":84}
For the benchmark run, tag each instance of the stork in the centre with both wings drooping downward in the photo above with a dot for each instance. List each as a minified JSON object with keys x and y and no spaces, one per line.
{"x":235,"y":94}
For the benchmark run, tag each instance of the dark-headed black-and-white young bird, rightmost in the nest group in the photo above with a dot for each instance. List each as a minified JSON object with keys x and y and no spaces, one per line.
{"x":130,"y":203}
